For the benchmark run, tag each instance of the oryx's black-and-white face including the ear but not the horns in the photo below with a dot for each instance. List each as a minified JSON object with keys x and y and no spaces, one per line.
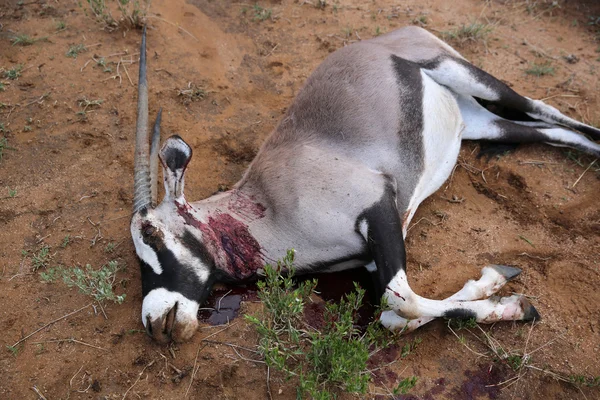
{"x":176,"y":269}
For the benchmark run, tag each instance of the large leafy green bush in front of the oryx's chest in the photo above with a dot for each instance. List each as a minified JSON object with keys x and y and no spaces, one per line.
{"x":323,"y":359}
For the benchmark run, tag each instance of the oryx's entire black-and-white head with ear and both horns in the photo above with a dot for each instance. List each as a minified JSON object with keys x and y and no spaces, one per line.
{"x":176,"y":277}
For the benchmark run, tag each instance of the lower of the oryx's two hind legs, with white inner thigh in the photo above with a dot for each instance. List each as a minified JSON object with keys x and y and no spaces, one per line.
{"x":482,"y":124}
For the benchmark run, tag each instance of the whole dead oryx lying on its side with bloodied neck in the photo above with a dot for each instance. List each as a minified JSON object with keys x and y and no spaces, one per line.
{"x":376,"y":129}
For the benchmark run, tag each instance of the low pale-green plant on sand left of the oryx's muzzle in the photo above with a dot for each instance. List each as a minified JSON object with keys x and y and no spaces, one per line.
{"x":96,"y":283}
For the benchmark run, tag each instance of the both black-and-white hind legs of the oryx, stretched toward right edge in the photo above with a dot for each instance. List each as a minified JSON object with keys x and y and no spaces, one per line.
{"x":469,"y":81}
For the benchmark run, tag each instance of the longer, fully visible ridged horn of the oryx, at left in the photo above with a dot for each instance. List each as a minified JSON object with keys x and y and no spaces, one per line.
{"x":141,"y":179}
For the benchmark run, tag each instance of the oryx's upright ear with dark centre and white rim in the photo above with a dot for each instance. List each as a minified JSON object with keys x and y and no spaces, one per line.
{"x":174,"y":157}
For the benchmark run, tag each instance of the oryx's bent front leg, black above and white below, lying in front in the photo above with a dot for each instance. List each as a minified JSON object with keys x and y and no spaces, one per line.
{"x":384,"y":238}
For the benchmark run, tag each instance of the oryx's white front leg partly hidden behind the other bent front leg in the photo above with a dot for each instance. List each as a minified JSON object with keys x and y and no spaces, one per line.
{"x":493,"y":278}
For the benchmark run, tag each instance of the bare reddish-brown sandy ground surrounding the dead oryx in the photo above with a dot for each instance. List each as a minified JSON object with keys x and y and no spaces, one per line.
{"x":536,"y":207}
